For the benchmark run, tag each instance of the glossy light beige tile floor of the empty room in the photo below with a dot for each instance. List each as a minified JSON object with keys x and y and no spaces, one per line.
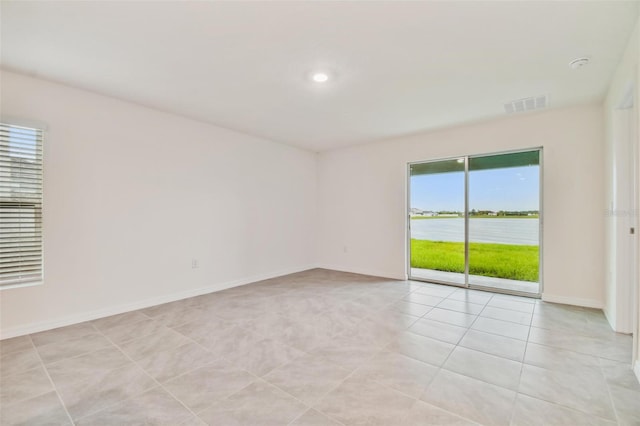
{"x":327,"y":348}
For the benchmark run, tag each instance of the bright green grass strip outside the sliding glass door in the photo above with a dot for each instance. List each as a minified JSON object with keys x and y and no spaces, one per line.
{"x":515,"y":262}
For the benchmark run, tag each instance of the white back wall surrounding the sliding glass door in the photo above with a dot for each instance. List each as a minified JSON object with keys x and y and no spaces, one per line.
{"x":362,"y":200}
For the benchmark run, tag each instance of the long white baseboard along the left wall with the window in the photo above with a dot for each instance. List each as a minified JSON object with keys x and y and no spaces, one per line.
{"x":119,"y":309}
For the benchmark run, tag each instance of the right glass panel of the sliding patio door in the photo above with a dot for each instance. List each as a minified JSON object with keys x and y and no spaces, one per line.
{"x":504,"y":229}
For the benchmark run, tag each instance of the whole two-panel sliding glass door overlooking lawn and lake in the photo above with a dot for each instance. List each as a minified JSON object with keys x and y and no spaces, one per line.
{"x":474,"y":221}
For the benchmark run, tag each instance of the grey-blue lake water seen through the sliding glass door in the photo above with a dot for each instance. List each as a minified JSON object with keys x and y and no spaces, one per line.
{"x":481,"y":230}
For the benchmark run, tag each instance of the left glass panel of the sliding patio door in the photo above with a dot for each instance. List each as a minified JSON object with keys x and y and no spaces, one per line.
{"x":437,"y":221}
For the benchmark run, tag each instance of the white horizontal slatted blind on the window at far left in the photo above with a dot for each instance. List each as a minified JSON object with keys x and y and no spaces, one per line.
{"x":20,"y":205}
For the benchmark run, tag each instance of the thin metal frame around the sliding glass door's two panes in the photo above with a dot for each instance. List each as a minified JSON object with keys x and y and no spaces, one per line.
{"x":466,"y":222}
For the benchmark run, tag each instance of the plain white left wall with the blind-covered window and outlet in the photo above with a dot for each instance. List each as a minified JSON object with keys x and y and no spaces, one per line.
{"x":133,"y":194}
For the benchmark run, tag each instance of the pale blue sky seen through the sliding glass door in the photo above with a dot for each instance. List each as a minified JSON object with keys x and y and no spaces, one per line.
{"x":515,"y":188}
